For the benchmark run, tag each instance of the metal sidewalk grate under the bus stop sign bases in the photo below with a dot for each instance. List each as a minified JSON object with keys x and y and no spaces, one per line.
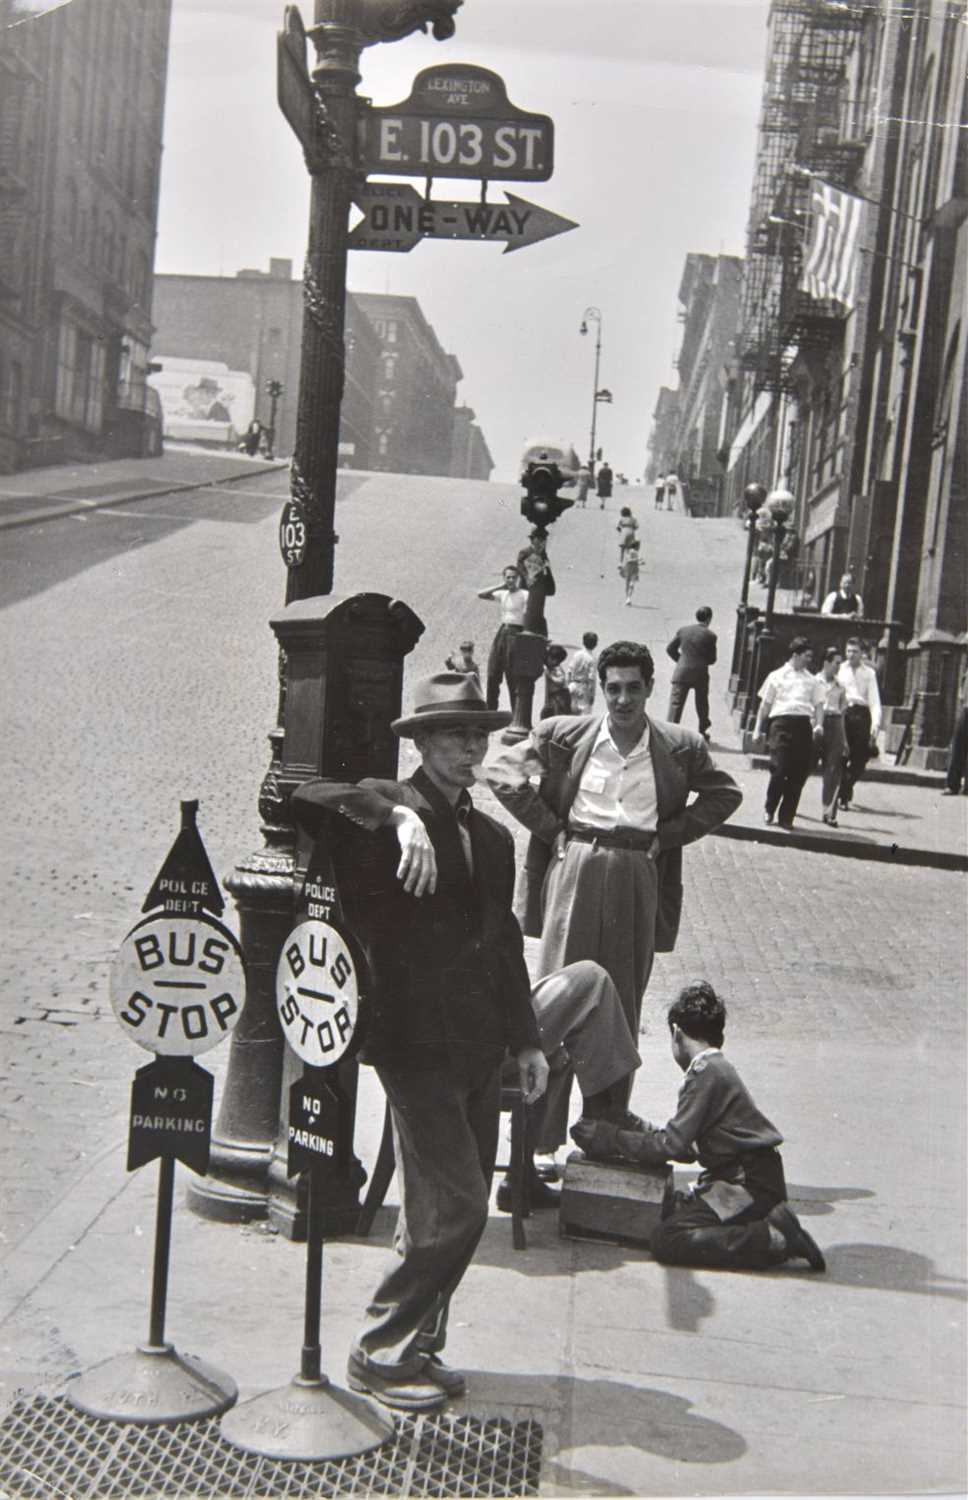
{"x":49,"y":1450}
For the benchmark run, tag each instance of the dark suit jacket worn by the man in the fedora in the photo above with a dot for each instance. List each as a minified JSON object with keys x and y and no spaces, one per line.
{"x":449,"y":974}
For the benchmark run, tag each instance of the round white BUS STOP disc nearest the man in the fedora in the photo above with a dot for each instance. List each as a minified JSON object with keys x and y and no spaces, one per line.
{"x":317,"y":994}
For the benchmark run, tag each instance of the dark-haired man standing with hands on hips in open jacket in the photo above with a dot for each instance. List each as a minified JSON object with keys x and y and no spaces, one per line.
{"x":609,"y":823}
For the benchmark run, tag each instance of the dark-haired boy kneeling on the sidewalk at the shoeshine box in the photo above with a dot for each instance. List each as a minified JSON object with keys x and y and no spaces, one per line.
{"x":736,"y":1217}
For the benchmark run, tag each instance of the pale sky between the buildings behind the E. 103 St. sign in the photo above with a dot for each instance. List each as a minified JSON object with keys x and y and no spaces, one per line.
{"x":655,"y":106}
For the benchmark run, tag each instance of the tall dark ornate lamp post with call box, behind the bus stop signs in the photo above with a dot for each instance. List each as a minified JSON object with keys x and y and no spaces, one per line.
{"x":340,"y":664}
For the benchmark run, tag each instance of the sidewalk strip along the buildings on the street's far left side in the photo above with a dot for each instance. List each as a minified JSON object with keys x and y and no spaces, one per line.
{"x":34,"y":496}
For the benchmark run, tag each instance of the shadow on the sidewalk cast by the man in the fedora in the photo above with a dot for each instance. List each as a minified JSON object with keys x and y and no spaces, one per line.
{"x":613,"y":1414}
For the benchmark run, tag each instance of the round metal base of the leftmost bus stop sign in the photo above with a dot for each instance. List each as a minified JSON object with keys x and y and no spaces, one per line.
{"x":152,"y":1385}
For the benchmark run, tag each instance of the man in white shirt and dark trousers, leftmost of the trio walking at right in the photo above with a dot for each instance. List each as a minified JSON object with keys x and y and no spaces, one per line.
{"x":792,"y":701}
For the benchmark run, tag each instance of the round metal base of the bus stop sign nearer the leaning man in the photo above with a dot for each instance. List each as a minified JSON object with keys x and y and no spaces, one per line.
{"x":310,"y":1421}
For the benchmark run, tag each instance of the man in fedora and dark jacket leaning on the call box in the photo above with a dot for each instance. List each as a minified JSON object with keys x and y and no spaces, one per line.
{"x":427,"y":884}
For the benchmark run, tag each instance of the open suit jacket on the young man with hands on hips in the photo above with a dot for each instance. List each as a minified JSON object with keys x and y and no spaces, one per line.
{"x":559,"y":752}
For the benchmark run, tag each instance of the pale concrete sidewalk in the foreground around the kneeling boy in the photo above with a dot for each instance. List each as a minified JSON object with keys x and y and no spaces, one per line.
{"x":646,"y":1381}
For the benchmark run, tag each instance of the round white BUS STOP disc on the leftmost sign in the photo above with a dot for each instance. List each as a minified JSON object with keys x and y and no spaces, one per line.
{"x":178,"y":985}
